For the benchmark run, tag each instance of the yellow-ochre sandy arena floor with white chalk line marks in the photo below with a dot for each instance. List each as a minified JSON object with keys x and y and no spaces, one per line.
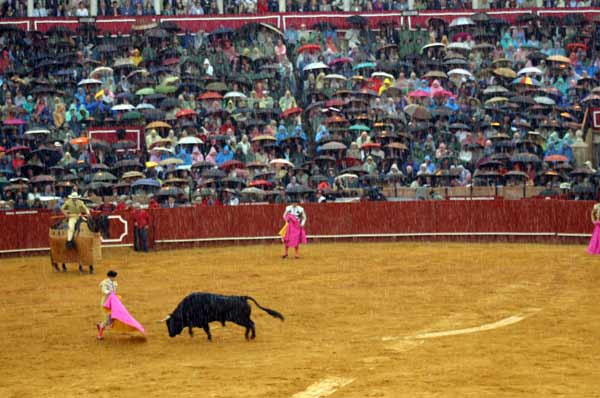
{"x":526,"y":322}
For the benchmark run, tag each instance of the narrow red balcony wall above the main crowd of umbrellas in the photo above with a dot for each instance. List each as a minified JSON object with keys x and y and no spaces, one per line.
{"x":206,"y":23}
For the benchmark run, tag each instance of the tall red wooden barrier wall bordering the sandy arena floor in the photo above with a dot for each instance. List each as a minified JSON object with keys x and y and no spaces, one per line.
{"x":530,"y":219}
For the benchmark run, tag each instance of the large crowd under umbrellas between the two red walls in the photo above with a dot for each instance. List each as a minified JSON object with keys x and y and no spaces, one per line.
{"x":257,"y":114}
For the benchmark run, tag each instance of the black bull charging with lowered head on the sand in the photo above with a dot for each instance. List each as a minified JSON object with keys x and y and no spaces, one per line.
{"x":199,"y":309}
